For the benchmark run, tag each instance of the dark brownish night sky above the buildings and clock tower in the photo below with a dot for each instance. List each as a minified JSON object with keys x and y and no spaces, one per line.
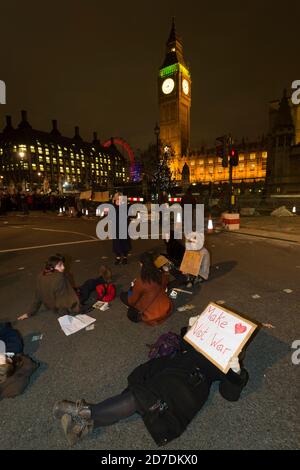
{"x":95,"y":63}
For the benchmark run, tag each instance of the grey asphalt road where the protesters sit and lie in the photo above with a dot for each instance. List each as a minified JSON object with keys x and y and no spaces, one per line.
{"x":95,"y":364}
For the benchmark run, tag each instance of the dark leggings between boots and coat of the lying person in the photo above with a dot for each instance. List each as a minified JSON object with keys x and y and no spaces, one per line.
{"x":114,"y":409}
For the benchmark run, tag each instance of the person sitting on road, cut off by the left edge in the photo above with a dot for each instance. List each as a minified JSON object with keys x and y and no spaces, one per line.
{"x":15,"y":367}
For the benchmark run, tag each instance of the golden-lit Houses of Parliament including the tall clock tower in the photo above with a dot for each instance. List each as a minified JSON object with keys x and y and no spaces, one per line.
{"x":274,"y":159}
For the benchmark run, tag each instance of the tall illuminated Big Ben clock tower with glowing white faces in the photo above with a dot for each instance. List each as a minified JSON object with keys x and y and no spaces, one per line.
{"x":174,"y":91}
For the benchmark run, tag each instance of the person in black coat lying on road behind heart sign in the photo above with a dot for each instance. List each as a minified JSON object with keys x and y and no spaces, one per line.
{"x":167,"y":392}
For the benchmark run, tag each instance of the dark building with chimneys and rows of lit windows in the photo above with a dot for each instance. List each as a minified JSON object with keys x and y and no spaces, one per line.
{"x":32,"y":156}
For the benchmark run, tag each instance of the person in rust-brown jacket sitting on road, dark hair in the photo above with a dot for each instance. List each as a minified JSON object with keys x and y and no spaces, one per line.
{"x":148,"y":301}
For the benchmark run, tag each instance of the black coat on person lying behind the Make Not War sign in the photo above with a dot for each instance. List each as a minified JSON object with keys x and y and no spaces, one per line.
{"x":170,"y":391}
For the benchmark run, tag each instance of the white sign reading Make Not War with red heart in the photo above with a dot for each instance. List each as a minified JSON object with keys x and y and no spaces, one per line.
{"x":220,"y":334}
